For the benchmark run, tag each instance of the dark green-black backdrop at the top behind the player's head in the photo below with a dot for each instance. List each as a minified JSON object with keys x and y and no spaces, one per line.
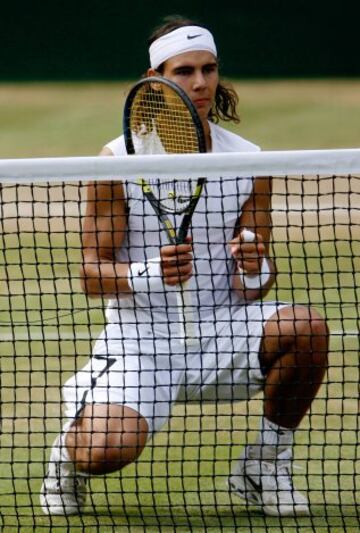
{"x":107,"y":39}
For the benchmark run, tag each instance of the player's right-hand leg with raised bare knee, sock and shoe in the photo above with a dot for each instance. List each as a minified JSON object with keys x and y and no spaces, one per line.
{"x":294,"y":358}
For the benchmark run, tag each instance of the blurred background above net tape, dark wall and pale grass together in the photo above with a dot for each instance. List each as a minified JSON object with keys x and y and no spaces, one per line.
{"x":295,"y":66}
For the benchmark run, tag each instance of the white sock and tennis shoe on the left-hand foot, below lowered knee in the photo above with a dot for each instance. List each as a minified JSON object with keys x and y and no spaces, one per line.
{"x":63,"y":491}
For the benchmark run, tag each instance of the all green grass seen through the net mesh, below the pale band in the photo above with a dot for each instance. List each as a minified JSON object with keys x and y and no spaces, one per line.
{"x":180,"y":478}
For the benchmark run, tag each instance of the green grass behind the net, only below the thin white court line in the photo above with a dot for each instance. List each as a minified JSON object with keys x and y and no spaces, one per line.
{"x":181,"y":476}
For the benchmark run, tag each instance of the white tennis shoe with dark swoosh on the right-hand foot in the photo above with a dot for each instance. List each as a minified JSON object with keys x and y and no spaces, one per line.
{"x":268,"y":484}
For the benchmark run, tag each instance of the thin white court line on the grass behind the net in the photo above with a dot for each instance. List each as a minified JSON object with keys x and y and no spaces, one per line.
{"x":83,"y":336}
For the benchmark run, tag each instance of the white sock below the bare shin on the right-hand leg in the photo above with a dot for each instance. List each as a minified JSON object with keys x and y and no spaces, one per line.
{"x":272,"y":439}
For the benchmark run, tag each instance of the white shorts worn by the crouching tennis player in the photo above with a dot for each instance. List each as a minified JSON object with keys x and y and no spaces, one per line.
{"x":150,"y":374}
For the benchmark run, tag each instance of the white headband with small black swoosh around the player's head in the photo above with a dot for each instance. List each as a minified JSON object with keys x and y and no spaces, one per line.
{"x":185,"y":39}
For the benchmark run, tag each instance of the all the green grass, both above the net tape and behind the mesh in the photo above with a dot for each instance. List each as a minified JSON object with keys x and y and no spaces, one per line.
{"x":179,"y":482}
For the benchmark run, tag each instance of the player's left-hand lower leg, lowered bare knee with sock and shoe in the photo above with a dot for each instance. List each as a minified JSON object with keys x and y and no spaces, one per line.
{"x":96,"y":443}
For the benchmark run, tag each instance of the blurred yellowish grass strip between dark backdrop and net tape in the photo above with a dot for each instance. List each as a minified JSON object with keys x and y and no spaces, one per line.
{"x":68,"y":119}
